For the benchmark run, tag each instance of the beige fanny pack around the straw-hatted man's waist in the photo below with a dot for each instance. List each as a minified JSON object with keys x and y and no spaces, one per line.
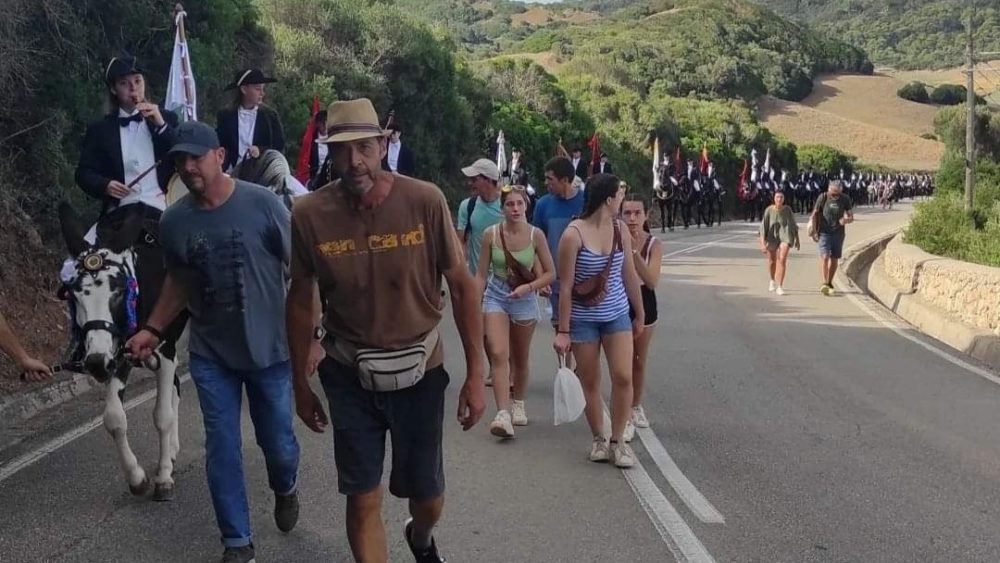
{"x":381,"y":369}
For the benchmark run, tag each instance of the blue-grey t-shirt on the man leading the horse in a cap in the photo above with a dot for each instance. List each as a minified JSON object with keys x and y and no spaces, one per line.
{"x":232,"y":261}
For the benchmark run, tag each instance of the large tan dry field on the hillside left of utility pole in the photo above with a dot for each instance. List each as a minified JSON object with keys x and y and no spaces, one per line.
{"x":862,"y":116}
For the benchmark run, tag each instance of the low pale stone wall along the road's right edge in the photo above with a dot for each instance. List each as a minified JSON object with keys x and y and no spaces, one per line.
{"x":969,"y":292}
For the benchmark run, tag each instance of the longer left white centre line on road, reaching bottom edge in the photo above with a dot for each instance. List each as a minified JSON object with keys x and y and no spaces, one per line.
{"x":676,"y":534}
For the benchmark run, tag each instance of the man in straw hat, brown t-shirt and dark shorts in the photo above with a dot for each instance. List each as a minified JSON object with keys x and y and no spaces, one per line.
{"x":378,"y":245}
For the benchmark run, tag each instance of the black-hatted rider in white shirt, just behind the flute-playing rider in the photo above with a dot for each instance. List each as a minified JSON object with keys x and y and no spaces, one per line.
{"x":249,"y":127}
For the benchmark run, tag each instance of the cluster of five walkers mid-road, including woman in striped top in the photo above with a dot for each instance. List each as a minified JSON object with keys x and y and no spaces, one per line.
{"x":599,"y":273}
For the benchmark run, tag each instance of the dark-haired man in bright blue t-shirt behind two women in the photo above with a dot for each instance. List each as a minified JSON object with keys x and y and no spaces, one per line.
{"x":553,"y":213}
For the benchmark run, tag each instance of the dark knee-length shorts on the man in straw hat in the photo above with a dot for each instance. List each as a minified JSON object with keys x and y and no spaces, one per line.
{"x":360,"y":418}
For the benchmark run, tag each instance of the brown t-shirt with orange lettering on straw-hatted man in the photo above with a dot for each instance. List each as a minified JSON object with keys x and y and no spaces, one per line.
{"x":379,"y":269}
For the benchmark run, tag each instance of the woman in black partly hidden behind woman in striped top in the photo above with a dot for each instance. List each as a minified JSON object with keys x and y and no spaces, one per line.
{"x":647,"y":252}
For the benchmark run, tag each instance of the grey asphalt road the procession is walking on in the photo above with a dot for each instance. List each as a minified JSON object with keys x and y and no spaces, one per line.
{"x":786,"y":429}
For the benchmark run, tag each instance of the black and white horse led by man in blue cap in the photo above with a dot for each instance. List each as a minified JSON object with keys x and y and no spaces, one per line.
{"x":112,"y":292}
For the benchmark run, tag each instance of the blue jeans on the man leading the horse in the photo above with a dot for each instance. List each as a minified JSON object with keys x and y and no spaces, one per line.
{"x":269,"y":395}
